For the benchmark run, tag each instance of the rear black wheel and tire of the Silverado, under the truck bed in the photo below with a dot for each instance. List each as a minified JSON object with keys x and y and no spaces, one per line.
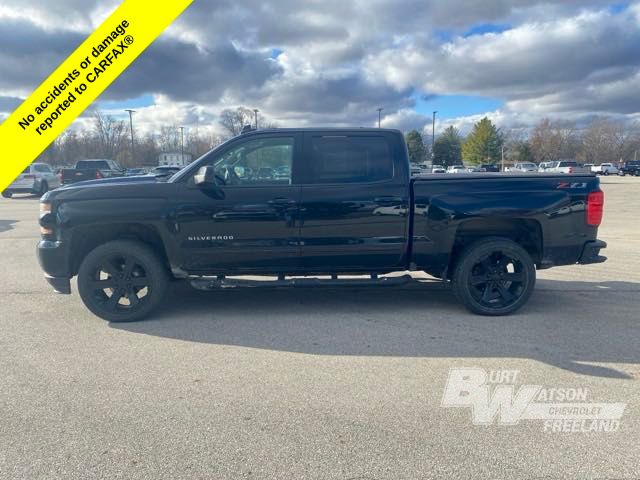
{"x":494,"y":276}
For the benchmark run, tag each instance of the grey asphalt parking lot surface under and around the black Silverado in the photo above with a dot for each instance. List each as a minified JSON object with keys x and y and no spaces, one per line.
{"x":312,"y":383}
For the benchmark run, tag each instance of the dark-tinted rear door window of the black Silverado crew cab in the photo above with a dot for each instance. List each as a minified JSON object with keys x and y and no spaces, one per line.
{"x":350,"y":159}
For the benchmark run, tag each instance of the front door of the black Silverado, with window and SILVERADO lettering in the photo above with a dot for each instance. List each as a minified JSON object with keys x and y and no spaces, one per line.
{"x":250,"y":223}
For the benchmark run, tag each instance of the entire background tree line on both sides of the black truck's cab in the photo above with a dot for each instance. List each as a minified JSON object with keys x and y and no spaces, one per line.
{"x":602,"y":140}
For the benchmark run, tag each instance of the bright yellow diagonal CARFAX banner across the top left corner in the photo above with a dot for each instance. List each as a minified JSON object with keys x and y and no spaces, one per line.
{"x":78,"y":81}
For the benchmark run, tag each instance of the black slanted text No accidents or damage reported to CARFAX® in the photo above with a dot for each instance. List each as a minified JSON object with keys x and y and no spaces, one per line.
{"x":65,"y":91}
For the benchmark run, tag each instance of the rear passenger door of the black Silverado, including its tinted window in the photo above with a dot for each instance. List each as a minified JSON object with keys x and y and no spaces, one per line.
{"x":354,"y":202}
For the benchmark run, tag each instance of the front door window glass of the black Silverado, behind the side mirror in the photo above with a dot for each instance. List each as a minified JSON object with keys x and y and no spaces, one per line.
{"x":264,"y":161}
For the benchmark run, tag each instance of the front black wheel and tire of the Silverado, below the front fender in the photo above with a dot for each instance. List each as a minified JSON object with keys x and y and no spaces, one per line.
{"x":115,"y":273}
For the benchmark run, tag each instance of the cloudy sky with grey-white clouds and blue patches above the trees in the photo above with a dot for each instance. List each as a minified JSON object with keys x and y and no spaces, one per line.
{"x":334,"y":62}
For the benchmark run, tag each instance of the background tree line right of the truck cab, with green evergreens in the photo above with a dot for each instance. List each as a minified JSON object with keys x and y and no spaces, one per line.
{"x":602,"y":140}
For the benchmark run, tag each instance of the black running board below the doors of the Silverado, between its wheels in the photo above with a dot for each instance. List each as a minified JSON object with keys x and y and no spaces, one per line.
{"x":217,"y":283}
